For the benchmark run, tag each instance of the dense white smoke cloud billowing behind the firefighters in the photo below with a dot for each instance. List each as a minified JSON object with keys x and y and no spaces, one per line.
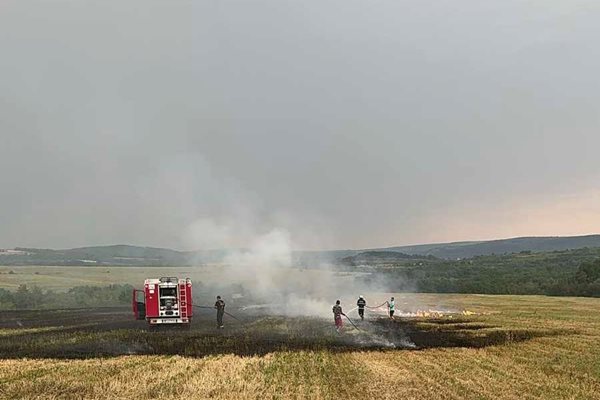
{"x":272,"y":284}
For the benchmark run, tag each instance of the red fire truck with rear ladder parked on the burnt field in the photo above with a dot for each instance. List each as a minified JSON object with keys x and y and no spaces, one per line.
{"x":165,"y":301}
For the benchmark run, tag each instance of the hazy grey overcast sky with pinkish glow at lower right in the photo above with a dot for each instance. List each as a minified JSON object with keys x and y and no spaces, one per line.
{"x":347,"y":123}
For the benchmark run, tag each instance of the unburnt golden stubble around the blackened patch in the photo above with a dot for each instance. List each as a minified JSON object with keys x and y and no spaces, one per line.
{"x":552,"y":367}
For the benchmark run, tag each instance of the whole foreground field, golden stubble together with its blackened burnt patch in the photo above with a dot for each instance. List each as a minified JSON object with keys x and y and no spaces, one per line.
{"x":514,"y":347}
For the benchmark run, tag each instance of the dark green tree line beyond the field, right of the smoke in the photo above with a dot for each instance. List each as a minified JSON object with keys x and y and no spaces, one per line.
{"x":525,"y":273}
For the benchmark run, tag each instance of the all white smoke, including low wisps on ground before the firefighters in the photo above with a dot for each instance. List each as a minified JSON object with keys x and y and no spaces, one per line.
{"x":271,"y":284}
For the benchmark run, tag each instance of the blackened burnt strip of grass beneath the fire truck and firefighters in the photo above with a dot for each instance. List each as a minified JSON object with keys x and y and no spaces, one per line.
{"x":109,"y":332}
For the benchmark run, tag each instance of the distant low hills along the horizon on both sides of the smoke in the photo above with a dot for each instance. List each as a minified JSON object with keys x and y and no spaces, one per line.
{"x":137,"y":255}
